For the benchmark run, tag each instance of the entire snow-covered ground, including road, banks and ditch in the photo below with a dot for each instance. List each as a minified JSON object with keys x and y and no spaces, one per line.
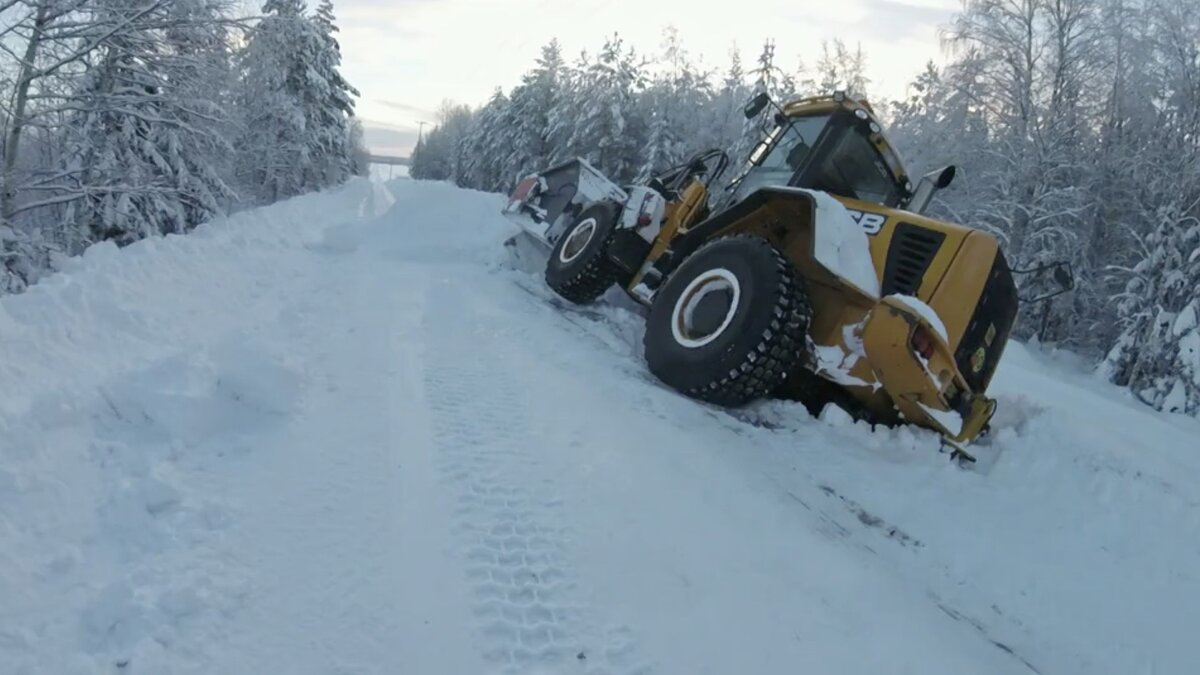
{"x":345,"y":435}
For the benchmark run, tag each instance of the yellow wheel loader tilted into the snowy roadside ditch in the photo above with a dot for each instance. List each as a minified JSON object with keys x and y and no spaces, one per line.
{"x":813,"y":277}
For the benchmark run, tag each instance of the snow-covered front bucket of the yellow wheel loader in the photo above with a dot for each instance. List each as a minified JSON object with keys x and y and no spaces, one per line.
{"x":543,"y":205}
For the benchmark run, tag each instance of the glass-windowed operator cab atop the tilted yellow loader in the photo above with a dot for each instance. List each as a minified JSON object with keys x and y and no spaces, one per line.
{"x":831,"y":144}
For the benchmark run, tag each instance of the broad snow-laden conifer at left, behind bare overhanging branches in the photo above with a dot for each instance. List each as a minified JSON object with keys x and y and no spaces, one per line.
{"x":143,"y":138}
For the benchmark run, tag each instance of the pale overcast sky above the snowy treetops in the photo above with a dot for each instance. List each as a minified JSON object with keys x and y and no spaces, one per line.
{"x":406,"y":57}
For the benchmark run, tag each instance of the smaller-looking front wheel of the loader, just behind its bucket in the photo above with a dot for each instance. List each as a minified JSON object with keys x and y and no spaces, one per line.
{"x":583,"y":274}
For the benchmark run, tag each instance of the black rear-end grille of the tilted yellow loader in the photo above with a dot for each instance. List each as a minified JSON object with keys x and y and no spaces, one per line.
{"x":983,"y":342}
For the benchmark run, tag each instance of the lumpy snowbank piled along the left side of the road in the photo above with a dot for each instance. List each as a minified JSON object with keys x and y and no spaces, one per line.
{"x":129,"y":375}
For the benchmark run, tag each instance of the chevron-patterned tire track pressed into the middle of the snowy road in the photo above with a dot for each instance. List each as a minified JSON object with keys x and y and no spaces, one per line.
{"x":526,"y":595}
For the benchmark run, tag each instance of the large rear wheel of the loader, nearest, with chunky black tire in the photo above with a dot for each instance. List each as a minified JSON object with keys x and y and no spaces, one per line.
{"x":752,"y":350}
